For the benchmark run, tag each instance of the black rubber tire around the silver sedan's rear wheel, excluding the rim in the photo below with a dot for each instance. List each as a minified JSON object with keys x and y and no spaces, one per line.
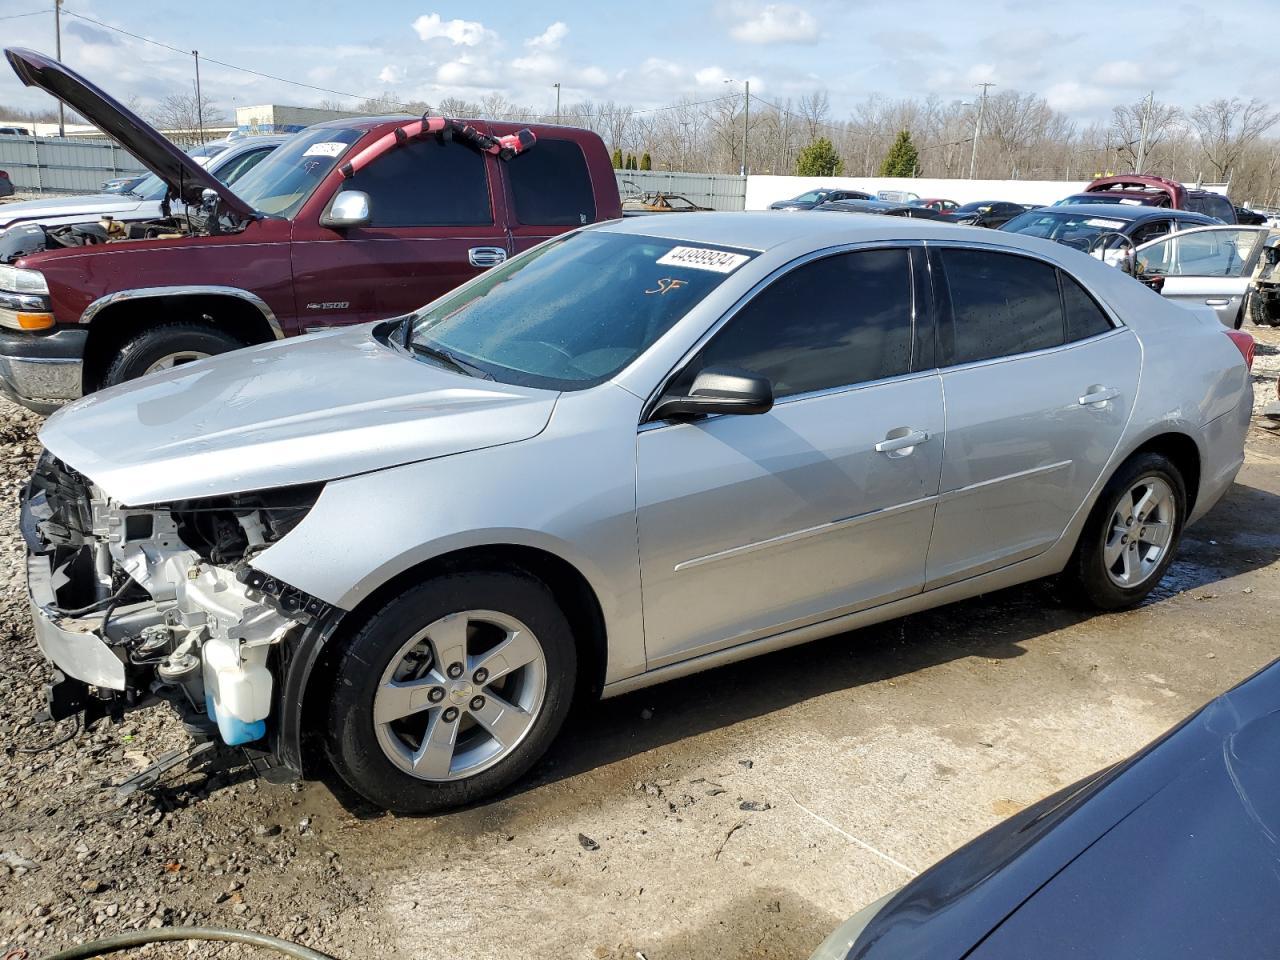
{"x":1086,"y":577}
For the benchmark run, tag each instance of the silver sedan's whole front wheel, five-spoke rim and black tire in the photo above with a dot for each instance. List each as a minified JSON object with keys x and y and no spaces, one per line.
{"x":451,"y":692}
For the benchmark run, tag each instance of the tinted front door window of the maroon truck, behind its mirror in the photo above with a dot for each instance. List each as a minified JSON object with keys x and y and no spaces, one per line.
{"x":427,"y":184}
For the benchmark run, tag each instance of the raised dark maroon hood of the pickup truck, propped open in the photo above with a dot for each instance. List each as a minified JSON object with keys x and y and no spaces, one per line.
{"x":185,"y":177}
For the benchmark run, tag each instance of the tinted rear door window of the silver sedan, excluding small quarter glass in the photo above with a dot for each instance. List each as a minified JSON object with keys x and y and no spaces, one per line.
{"x":1000,"y":305}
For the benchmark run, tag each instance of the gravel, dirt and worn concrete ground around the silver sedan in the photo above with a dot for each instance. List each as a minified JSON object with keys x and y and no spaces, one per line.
{"x":737,"y":815}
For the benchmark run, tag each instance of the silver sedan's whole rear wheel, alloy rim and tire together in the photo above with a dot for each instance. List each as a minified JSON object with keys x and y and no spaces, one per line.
{"x":1131,"y":537}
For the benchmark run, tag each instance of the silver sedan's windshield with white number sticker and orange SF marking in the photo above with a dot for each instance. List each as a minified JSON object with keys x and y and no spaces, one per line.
{"x":574,"y":312}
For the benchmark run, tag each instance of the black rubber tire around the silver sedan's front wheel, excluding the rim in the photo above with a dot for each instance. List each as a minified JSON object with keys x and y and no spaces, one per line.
{"x":351,"y":738}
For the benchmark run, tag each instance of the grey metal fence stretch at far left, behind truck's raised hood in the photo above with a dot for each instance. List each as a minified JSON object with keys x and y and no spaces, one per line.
{"x":63,"y":166}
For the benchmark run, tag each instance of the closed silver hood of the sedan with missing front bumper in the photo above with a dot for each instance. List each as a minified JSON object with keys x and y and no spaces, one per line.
{"x":292,"y":413}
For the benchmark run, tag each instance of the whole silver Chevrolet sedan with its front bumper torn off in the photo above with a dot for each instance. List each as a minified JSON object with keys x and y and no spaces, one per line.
{"x":638,"y":451}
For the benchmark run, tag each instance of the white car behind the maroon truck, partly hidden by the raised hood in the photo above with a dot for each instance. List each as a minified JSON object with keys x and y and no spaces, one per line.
{"x":227,"y":161}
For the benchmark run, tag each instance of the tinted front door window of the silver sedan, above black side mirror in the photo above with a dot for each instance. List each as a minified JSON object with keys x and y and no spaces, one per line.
{"x":835,"y":322}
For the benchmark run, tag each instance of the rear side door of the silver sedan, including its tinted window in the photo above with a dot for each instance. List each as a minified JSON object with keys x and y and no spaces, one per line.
{"x":1039,"y":385}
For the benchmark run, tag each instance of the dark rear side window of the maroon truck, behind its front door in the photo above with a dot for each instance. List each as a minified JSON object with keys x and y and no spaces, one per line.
{"x":552,"y":186}
